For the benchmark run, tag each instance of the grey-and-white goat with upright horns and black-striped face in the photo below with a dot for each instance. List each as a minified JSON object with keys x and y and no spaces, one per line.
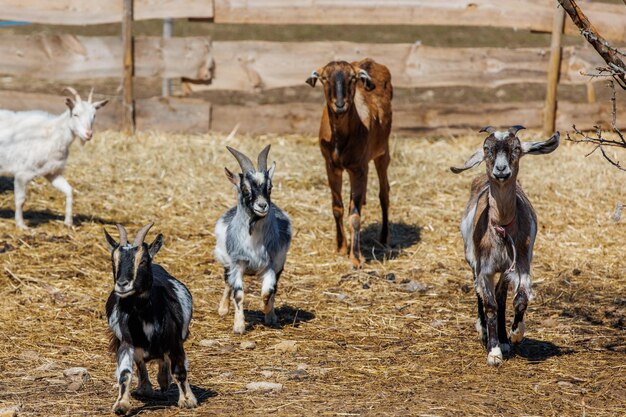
{"x":252,"y":238}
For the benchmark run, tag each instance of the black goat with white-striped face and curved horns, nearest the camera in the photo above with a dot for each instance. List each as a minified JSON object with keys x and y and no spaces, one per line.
{"x":148,"y":313}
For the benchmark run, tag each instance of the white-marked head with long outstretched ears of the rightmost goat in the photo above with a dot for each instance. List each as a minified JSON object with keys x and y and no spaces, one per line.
{"x":502,"y":151}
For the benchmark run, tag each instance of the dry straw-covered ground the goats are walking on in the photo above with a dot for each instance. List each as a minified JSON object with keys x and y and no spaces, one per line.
{"x":357,"y":343}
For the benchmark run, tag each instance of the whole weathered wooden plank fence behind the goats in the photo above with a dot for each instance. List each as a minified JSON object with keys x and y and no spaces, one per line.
{"x":257,"y":66}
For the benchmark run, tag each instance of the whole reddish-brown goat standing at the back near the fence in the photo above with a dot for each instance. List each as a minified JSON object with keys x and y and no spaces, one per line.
{"x":355,"y":128}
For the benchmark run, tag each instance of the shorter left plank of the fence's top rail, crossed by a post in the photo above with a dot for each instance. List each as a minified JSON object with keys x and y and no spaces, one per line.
{"x":81,"y":12}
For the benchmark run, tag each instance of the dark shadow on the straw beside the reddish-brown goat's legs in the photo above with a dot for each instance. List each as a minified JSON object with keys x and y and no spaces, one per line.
{"x":402,"y":236}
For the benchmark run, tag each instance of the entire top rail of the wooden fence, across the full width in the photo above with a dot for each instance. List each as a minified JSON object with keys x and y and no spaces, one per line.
{"x":533,"y":15}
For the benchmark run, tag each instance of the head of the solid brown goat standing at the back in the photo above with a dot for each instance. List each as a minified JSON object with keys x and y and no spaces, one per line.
{"x":339,"y":79}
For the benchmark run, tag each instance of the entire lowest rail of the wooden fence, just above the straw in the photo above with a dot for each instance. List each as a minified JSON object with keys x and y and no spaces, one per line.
{"x":198,"y":116}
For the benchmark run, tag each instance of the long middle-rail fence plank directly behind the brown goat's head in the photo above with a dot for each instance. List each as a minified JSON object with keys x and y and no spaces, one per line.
{"x":258,"y":65}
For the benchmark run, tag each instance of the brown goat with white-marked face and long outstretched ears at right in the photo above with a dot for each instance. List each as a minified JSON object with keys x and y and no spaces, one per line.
{"x":499,"y":228}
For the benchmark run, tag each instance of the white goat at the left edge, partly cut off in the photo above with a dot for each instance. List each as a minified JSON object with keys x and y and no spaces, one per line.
{"x":37,"y":144}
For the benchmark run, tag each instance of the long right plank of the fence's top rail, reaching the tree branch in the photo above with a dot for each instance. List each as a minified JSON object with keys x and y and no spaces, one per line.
{"x":610,"y":19}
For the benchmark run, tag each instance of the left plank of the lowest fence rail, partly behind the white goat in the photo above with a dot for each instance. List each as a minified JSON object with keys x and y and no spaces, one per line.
{"x":160,"y":114}
